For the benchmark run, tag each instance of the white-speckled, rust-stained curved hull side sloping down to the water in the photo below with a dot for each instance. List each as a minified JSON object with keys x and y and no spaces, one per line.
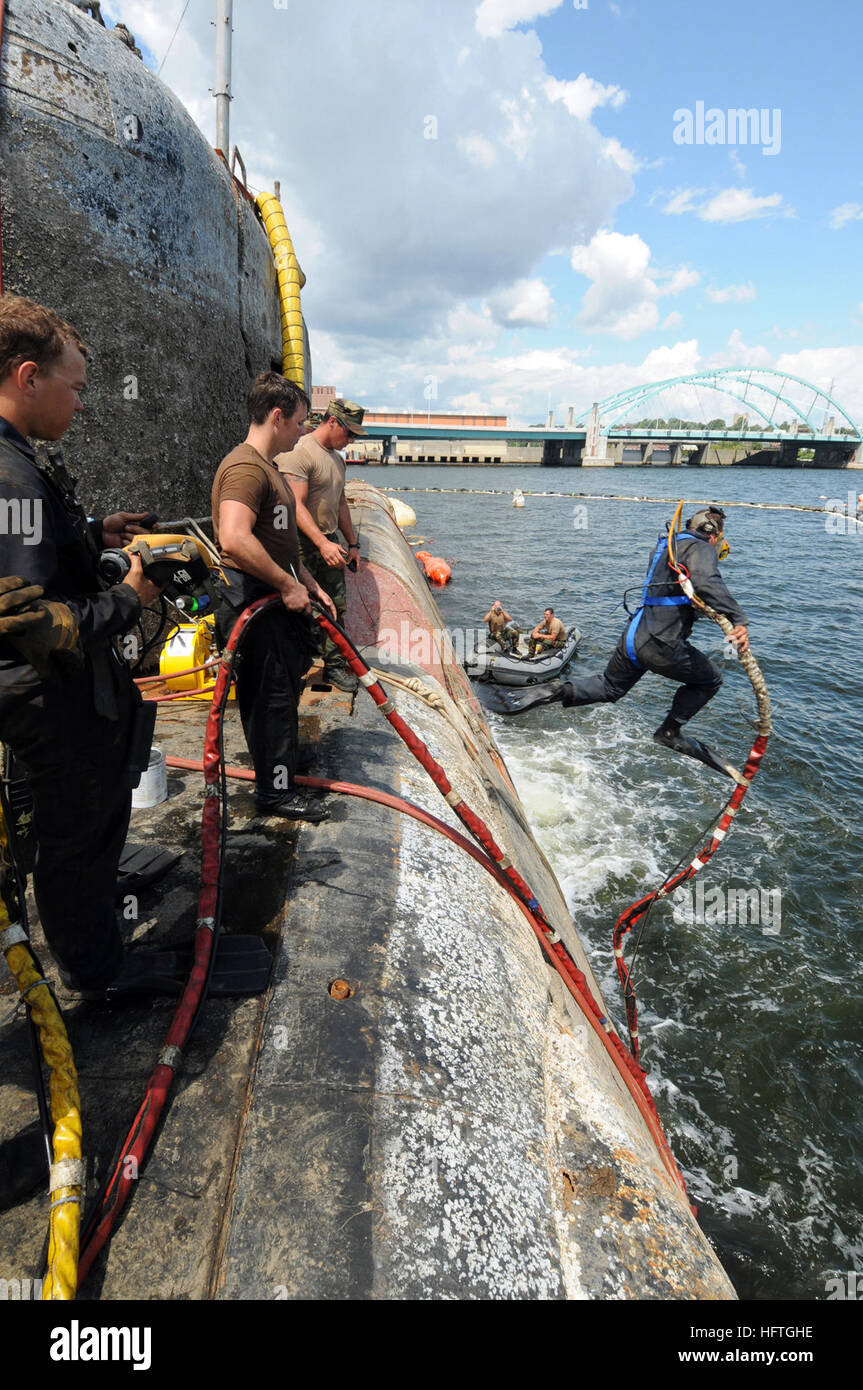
{"x":454,"y":1129}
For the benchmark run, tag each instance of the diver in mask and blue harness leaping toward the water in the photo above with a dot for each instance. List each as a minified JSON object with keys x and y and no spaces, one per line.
{"x":657,"y":640}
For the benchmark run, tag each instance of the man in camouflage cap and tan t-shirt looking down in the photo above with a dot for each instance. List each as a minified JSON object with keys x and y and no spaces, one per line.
{"x":316,"y":472}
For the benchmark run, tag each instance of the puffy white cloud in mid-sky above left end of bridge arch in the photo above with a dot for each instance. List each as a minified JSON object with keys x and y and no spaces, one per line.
{"x":622,"y":301}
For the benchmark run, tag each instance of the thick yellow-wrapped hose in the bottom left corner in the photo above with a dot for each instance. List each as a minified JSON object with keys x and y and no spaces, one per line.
{"x":67,"y":1168}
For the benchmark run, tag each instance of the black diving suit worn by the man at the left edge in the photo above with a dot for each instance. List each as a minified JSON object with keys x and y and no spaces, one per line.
{"x":73,"y":733}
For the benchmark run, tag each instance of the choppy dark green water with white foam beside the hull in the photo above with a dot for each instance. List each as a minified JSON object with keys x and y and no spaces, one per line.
{"x":751,"y":1029}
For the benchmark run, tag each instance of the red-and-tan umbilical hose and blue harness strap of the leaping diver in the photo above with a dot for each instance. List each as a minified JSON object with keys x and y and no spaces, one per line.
{"x":639,"y":911}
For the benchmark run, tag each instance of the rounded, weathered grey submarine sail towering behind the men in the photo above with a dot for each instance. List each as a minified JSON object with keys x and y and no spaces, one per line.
{"x":119,"y":215}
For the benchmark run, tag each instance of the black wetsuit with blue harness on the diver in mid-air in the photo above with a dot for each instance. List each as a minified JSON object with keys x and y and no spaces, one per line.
{"x":657,"y":640}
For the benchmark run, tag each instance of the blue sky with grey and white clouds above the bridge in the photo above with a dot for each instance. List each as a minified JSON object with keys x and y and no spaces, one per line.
{"x":550,"y":243}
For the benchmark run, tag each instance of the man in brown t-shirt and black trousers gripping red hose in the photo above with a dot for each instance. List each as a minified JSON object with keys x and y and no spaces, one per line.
{"x":255,"y":528}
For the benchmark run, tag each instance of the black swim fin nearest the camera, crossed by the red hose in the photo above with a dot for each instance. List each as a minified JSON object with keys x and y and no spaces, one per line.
{"x":241,"y":968}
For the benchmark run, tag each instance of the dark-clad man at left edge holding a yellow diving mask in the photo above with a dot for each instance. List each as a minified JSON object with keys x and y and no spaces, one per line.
{"x":69,"y":708}
